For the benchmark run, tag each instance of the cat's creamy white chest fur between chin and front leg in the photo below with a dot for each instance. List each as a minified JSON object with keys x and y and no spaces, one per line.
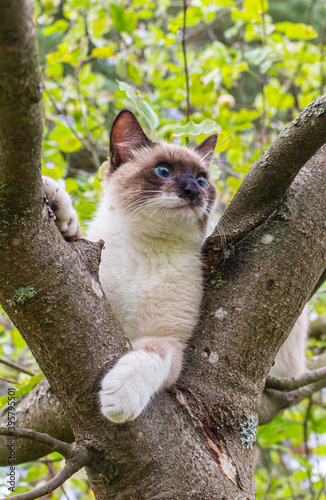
{"x":153,"y":284}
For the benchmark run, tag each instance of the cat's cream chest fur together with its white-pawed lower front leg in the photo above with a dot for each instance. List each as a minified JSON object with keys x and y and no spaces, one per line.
{"x":151,"y":273}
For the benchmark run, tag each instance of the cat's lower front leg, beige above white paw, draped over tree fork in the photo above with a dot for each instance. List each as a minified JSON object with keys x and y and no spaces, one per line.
{"x":154,"y":363}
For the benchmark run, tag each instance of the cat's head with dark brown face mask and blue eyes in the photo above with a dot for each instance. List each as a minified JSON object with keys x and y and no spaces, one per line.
{"x":161,"y":181}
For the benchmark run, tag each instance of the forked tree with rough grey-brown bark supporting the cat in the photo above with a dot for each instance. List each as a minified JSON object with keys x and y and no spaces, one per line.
{"x":50,"y":289}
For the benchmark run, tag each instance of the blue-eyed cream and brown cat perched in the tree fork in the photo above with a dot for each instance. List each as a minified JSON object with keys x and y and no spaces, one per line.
{"x":153,"y":217}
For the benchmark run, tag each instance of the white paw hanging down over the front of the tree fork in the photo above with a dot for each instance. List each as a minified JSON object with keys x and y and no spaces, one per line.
{"x":128,"y":387}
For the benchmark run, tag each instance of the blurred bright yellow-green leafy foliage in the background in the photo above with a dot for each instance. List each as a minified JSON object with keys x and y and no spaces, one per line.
{"x":252,"y":65}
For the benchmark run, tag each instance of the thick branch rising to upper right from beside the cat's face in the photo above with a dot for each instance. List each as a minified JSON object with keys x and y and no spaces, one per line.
{"x":269,"y":177}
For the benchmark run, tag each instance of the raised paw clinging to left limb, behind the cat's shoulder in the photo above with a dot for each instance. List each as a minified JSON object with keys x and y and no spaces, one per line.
{"x":60,"y":203}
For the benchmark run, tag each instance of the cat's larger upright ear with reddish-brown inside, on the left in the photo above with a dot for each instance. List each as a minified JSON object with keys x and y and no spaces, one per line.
{"x":126,"y":137}
